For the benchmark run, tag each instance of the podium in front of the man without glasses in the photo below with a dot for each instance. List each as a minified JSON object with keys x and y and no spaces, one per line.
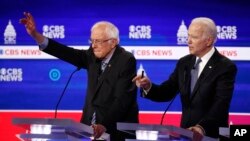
{"x":149,"y":132}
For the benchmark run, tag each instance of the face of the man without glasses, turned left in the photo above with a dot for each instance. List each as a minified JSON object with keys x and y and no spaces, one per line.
{"x":198,"y":43}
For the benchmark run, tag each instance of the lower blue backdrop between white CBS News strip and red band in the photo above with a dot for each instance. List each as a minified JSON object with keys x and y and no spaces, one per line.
{"x":41,"y":90}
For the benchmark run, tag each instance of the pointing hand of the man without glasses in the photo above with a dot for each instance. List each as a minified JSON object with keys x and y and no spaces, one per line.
{"x":142,"y":82}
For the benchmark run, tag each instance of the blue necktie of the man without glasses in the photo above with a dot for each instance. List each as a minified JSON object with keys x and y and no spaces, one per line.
{"x":194,"y":74}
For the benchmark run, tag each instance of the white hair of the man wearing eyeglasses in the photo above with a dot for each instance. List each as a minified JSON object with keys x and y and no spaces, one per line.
{"x":110,"y":29}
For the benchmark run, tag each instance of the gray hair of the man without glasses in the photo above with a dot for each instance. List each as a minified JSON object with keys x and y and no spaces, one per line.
{"x":210,"y":27}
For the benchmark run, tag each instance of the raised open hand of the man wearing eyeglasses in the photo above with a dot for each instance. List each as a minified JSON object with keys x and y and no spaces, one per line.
{"x":30,"y":26}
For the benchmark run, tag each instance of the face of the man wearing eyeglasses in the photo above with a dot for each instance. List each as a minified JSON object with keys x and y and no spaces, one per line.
{"x":101,"y":43}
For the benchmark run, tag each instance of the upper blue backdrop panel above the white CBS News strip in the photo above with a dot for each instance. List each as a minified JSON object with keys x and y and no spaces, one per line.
{"x":164,"y":18}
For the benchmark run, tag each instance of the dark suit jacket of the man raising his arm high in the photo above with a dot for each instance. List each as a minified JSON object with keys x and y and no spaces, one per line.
{"x":112,"y":95}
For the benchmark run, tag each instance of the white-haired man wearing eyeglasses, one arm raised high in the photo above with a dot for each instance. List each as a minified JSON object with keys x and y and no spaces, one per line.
{"x":111,"y":95}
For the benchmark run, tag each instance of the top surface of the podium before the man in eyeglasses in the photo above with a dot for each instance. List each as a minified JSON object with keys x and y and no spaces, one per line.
{"x":62,"y":125}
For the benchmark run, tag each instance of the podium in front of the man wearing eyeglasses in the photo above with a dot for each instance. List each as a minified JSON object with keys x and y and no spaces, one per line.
{"x":50,"y":129}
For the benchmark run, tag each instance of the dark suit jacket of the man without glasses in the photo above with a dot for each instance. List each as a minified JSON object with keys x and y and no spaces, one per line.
{"x":211,"y":97}
